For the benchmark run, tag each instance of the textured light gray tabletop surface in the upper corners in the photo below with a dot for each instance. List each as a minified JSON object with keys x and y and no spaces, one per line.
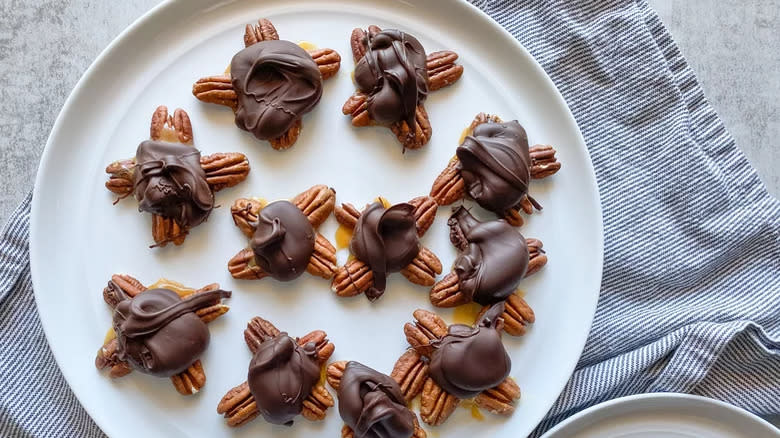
{"x":45,"y":46}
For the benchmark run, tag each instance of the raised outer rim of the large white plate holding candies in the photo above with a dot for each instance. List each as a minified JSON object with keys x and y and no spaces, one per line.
{"x":144,"y":20}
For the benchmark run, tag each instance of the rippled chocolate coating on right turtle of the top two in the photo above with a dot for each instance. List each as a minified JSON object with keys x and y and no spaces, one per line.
{"x":393,"y":75}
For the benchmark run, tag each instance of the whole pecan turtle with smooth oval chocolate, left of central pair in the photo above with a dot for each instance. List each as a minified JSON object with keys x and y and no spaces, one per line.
{"x":284,"y":242}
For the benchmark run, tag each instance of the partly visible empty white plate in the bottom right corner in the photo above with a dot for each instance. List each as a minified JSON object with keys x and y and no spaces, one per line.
{"x":664,"y":415}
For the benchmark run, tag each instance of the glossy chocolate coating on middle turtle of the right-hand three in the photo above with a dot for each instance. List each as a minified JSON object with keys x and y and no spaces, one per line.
{"x":493,"y":259}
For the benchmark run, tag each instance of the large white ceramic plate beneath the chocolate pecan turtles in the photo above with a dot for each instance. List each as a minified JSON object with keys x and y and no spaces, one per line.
{"x":79,"y":239}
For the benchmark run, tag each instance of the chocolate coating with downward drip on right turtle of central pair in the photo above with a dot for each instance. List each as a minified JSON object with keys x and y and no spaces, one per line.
{"x":386,"y":240}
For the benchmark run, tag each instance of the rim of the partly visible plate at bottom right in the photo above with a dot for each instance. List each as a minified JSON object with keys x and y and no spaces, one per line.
{"x":604,"y":409}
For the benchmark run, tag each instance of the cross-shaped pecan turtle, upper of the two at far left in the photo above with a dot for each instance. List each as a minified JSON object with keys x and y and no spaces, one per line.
{"x":171,"y":180}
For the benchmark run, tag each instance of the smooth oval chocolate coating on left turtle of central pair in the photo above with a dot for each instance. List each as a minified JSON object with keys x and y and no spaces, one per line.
{"x":283,"y":241}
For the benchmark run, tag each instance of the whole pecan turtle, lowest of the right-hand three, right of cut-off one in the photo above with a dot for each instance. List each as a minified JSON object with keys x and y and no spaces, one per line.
{"x":449,"y":364}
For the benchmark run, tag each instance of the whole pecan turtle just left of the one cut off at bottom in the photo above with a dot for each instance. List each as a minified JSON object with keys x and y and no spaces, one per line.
{"x":283,"y":380}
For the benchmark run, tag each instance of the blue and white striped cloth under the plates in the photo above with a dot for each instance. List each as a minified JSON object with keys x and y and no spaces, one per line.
{"x":690,"y":300}
